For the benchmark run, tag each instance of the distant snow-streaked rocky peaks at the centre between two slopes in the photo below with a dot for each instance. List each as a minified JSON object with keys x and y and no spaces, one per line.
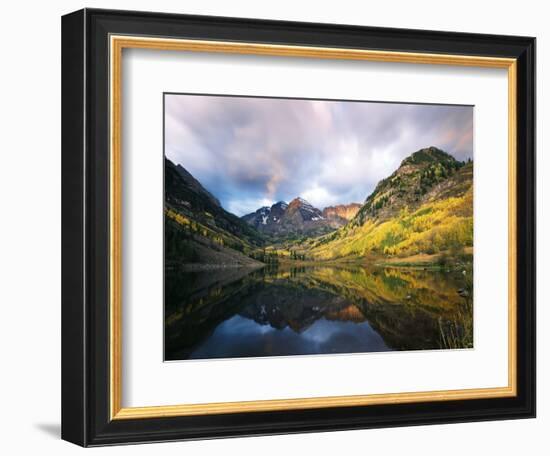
{"x":288,"y":221}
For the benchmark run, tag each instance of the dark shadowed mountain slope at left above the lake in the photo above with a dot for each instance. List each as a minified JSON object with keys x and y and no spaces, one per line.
{"x":197,"y":228}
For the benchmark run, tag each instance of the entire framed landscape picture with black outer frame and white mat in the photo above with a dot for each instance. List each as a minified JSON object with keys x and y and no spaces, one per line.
{"x":279,"y":227}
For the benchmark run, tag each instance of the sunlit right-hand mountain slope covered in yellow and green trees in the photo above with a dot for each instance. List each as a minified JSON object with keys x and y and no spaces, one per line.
{"x":424,"y":207}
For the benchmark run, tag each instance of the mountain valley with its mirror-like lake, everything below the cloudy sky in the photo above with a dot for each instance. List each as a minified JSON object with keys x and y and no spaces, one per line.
{"x":392,"y":273}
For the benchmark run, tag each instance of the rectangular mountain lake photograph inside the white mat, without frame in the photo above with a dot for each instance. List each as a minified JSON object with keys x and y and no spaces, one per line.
{"x":308,"y":227}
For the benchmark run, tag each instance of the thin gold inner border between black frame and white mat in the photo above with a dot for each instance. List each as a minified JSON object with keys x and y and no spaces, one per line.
{"x":117,"y":44}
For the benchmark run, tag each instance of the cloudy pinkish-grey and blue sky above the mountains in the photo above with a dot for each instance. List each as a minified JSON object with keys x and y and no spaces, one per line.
{"x":252,"y":152}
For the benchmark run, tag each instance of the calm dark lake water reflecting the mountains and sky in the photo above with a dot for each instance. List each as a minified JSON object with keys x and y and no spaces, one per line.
{"x":230,"y":313}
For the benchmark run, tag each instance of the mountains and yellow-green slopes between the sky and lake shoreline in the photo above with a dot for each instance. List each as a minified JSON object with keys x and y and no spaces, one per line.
{"x":419,"y":216}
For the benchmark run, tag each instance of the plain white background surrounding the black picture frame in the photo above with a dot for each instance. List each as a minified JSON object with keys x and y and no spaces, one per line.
{"x":30,"y":193}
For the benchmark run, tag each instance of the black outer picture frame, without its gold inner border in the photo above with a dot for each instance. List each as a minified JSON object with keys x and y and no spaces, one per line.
{"x":85,"y":228}
